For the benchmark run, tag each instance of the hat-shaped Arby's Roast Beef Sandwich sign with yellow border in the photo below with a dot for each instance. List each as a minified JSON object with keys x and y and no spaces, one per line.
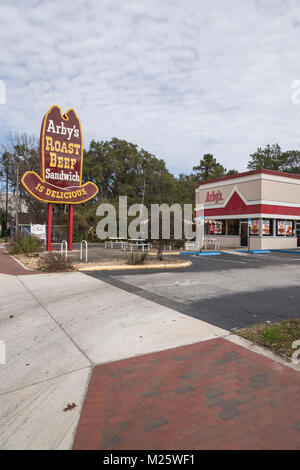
{"x":61,"y":161}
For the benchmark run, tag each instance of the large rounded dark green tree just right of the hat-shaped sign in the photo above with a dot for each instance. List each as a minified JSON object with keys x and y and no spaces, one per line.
{"x":120,"y":168}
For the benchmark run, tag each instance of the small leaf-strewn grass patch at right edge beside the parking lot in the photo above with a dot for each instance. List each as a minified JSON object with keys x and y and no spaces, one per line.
{"x":275,"y":336}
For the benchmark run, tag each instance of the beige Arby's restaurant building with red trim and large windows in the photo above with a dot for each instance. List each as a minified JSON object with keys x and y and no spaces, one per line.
{"x":262,"y":205}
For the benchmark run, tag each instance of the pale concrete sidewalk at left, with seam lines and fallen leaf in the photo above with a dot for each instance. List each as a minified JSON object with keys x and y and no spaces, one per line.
{"x":56,"y":328}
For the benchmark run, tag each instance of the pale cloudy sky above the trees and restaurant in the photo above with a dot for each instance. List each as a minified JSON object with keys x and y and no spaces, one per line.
{"x":179,"y":78}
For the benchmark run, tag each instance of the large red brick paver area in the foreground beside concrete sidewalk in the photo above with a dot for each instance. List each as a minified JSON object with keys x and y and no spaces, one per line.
{"x":209,"y":395}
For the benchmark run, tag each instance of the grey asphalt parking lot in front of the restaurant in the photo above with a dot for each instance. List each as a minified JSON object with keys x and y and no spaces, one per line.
{"x":231,"y":291}
